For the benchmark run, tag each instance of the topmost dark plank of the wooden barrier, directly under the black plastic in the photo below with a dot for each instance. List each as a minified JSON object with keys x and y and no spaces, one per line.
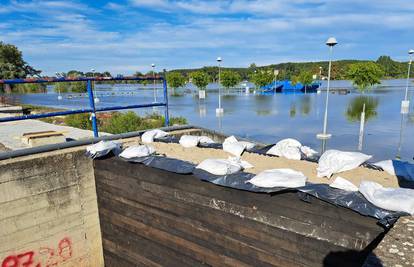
{"x":190,"y":183}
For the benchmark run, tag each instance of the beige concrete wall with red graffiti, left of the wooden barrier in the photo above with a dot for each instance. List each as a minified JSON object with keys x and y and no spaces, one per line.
{"x":48,"y":211}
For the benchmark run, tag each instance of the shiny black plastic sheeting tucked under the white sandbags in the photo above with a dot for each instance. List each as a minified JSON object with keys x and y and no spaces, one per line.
{"x":351,"y":200}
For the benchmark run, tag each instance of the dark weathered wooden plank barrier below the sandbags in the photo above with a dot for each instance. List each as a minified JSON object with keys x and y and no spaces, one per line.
{"x":151,"y":217}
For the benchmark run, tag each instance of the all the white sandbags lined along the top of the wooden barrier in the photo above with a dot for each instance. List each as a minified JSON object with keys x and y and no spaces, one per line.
{"x":332,"y":161}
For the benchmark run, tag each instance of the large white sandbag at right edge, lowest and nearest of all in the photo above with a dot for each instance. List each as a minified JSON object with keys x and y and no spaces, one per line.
{"x":395,"y":199}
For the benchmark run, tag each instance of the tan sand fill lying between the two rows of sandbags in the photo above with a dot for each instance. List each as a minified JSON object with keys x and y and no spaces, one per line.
{"x":261,"y":163}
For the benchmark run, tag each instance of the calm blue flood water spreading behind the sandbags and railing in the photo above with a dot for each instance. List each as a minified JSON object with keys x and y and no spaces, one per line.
{"x":269,"y":118}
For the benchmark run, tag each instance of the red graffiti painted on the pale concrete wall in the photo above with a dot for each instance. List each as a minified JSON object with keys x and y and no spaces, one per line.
{"x":43,"y":257}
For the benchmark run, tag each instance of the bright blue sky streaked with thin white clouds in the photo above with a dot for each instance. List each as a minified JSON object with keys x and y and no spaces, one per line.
{"x":128,"y":36}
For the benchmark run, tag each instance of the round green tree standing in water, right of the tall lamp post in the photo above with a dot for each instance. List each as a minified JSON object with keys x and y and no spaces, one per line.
{"x":365,"y":74}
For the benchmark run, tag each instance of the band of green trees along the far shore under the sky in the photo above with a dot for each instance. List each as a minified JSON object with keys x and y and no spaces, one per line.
{"x":13,"y":66}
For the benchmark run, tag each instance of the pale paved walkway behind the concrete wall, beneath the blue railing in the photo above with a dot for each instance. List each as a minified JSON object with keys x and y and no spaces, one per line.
{"x":11,"y":132}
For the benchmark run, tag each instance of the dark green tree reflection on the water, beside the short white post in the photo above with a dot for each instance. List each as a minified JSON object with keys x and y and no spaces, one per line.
{"x":356,"y":106}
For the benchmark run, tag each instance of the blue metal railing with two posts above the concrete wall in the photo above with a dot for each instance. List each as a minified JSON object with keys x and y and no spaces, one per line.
{"x":92,"y":109}
